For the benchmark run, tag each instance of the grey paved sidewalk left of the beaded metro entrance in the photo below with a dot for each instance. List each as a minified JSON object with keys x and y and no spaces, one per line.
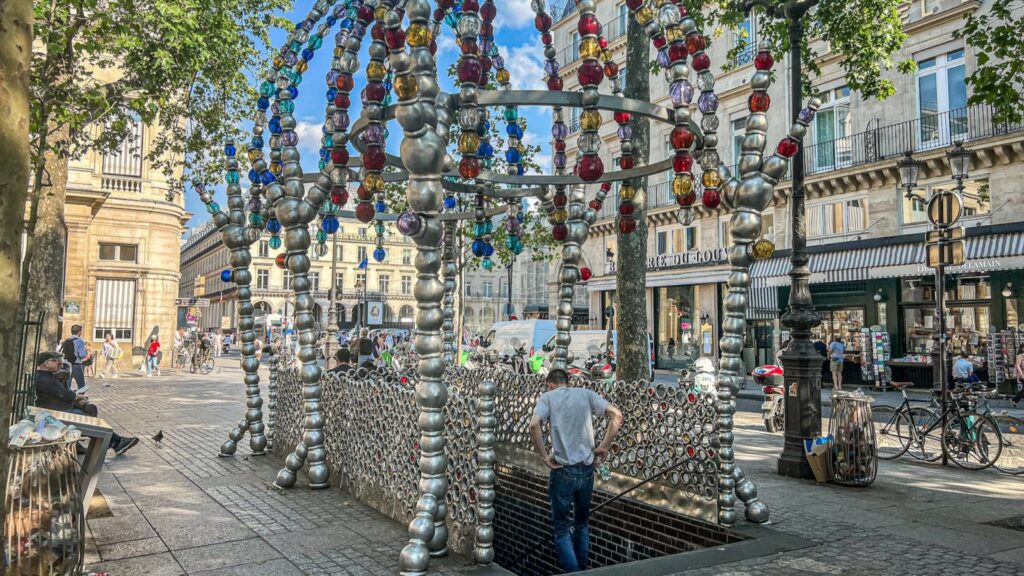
{"x":181,"y":510}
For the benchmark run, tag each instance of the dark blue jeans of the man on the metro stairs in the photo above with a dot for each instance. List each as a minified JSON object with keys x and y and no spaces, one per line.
{"x":570,"y":491}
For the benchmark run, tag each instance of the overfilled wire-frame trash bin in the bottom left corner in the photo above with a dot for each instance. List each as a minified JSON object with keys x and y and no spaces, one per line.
{"x":45,"y":522}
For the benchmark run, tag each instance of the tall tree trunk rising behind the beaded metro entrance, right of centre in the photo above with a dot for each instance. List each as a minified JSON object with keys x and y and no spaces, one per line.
{"x":631,"y":268}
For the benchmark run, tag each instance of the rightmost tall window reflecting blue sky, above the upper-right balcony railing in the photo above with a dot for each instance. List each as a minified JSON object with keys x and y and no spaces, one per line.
{"x":942,"y":100}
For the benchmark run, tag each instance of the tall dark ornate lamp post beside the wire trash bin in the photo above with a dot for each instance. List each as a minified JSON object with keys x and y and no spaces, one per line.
{"x":801,"y":362}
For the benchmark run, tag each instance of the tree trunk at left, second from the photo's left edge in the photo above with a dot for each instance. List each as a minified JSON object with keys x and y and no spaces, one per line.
{"x":46,"y":259}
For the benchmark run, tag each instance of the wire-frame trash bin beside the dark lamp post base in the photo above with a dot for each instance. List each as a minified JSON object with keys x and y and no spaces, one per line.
{"x":855,"y":459}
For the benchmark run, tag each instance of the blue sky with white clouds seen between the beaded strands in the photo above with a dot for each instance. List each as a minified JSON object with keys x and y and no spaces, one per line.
{"x":518,"y":39}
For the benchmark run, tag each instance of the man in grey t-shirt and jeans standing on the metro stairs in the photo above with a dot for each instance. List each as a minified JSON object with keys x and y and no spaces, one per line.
{"x":571,"y":484}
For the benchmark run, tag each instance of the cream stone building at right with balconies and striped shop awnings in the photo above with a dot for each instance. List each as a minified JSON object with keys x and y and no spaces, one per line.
{"x":866,"y":235}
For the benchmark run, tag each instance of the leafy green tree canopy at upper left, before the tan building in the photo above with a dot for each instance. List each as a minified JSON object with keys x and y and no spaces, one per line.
{"x":179,"y":66}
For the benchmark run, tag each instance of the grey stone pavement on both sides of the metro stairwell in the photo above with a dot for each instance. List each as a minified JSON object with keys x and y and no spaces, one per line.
{"x":179,"y":509}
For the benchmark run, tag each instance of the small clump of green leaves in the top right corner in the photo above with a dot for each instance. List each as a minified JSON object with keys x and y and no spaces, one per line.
{"x":999,"y":78}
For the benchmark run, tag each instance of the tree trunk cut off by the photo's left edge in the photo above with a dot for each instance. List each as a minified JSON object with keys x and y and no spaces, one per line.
{"x":16,"y":54}
